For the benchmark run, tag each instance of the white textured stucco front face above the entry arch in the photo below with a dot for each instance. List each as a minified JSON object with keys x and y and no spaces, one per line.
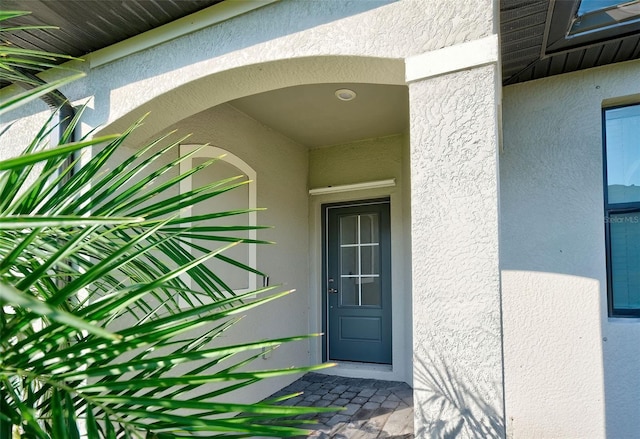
{"x":294,"y":30}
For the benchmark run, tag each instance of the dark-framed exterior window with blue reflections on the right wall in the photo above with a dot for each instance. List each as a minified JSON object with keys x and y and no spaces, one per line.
{"x":622,"y":208}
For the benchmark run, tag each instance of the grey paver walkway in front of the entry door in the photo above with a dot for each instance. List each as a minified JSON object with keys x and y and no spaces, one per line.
{"x":373,"y":408}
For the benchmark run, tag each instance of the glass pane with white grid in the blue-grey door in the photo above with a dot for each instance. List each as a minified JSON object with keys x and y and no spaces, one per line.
{"x":360,"y":260}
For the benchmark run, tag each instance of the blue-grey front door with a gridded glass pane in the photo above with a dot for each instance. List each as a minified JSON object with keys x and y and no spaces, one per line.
{"x":357,"y":282}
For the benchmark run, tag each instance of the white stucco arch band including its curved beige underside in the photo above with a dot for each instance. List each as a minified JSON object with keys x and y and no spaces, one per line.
{"x":290,"y":43}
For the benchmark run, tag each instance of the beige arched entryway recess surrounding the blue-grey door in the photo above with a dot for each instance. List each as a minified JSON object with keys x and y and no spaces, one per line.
{"x":309,"y":148}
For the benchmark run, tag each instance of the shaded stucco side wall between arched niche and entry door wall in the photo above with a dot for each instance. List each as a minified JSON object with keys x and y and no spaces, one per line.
{"x":281,"y":167}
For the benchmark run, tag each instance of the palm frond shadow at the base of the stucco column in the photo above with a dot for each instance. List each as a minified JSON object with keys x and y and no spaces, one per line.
{"x":457,"y":409}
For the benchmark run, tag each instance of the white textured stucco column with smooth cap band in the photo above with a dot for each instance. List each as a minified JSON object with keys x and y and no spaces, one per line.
{"x":457,"y":337}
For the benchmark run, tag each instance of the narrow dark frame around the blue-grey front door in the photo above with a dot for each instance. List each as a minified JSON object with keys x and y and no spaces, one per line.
{"x":324,"y":243}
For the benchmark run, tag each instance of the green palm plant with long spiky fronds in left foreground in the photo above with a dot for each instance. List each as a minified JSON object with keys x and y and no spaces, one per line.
{"x":85,"y":250}
